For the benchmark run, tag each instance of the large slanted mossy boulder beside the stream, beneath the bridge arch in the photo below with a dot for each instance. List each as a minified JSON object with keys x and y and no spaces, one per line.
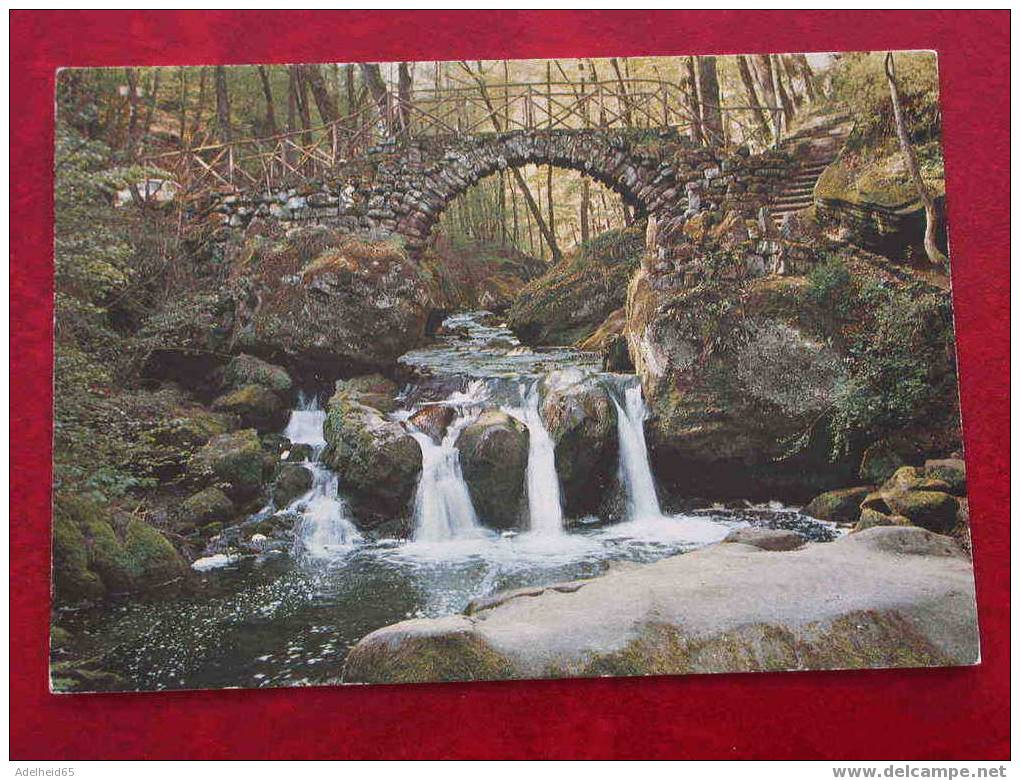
{"x":570,"y":302}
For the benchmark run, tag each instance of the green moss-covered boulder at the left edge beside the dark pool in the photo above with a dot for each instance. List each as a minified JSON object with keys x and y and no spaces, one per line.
{"x":97,"y":553}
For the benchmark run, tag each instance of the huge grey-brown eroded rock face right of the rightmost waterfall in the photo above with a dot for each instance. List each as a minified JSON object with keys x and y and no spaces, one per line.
{"x":733,"y":372}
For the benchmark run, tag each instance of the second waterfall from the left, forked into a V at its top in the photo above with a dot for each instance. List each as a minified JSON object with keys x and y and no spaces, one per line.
{"x":443,"y":508}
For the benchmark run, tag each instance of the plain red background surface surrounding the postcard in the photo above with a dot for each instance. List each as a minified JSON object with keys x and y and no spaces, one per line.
{"x":933,"y":714}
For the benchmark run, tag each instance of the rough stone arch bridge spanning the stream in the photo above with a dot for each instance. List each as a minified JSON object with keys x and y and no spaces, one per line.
{"x":402,"y":188}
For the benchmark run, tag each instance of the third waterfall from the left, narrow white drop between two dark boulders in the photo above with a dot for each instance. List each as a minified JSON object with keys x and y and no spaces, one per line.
{"x":544,"y":504}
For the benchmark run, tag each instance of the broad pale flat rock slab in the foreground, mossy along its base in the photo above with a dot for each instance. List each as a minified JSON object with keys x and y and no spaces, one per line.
{"x":888,"y":597}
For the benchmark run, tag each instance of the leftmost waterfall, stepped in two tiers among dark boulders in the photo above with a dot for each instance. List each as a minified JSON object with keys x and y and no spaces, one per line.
{"x":326,"y":523}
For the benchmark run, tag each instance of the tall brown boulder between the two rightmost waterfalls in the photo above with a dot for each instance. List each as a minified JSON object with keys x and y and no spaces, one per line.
{"x":580,"y":417}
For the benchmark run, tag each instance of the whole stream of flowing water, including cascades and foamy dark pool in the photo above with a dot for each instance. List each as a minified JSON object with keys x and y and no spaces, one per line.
{"x":277,"y":619}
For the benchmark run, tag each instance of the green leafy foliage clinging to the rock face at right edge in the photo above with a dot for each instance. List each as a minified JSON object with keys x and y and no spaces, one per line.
{"x":903,"y":369}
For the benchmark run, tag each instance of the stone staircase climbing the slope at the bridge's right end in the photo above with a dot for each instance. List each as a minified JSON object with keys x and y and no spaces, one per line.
{"x":817,"y":144}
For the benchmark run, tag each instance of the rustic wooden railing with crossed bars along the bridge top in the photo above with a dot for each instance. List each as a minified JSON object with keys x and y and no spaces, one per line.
{"x":296,"y":158}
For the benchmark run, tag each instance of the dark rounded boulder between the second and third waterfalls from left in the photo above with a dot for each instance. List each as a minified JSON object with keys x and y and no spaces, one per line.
{"x":494,"y":461}
